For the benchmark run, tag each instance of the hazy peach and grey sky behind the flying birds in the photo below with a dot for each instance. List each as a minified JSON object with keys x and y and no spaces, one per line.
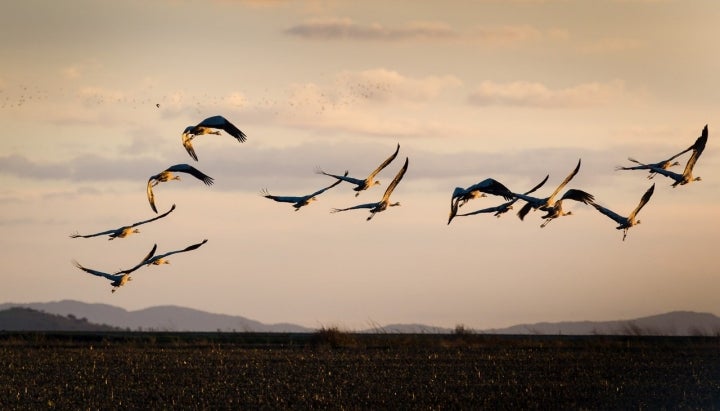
{"x":94,"y":96}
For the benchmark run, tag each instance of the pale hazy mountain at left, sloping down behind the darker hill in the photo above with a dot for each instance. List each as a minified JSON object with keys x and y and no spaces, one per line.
{"x":161,"y":318}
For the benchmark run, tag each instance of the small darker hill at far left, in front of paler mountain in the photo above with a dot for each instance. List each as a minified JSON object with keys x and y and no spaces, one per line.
{"x":27,"y":319}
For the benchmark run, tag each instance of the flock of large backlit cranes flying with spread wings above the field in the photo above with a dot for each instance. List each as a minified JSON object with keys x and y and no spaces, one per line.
{"x":551,"y":205}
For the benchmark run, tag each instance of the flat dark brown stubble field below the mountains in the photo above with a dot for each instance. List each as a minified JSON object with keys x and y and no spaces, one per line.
{"x":335,"y":370}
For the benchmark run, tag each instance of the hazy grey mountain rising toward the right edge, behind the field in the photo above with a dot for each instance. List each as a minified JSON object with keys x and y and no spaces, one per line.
{"x":678,"y":323}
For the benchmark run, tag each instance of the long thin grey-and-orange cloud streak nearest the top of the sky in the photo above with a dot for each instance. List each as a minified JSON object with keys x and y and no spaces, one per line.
{"x":336,"y":29}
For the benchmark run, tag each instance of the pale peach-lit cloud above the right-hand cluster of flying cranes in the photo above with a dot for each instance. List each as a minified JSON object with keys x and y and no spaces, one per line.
{"x":530,"y":94}
